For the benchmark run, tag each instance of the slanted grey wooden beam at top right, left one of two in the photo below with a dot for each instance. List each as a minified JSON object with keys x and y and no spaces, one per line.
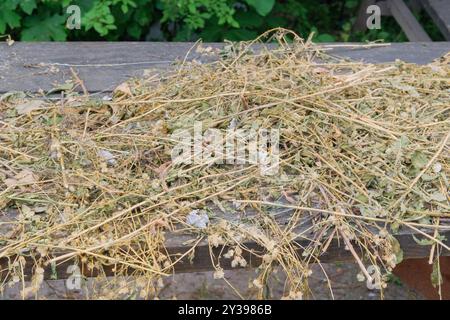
{"x":407,"y":21}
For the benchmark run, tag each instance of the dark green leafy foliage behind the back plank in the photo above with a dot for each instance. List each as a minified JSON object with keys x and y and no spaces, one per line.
{"x":189,"y":20}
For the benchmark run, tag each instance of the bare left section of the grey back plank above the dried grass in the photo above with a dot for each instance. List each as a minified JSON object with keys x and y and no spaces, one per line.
{"x":102,"y":66}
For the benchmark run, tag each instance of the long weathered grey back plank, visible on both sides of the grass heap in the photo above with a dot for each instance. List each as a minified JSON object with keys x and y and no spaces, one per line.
{"x":102,"y":66}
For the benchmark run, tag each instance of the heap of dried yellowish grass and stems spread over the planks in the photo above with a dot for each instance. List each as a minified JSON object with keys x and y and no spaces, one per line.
{"x":363,"y":152}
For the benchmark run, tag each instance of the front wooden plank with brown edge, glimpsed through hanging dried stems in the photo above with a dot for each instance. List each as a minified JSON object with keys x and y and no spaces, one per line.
{"x":179,"y":243}
